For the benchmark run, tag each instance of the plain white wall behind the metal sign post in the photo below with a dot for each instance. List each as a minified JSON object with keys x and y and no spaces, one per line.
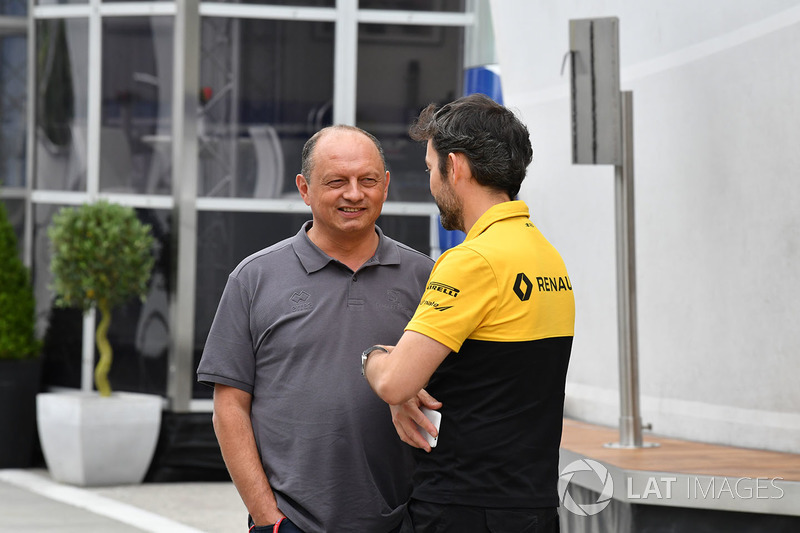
{"x":716,"y":89}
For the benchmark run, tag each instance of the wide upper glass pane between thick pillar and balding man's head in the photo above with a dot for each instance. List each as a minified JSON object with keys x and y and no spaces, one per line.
{"x":266,"y":87}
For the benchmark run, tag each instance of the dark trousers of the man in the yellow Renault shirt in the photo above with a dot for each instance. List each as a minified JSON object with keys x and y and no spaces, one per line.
{"x":438,"y":518}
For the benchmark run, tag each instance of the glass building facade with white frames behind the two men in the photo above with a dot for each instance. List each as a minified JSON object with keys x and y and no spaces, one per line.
{"x":195,"y":114}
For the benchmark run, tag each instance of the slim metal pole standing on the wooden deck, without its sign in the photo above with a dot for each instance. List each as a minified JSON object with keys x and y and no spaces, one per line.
{"x":630,"y":423}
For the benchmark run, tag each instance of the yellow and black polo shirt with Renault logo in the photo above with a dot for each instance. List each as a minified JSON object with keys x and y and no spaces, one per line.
{"x":503,"y":302}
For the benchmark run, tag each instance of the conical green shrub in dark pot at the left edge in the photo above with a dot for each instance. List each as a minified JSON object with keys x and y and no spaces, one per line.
{"x":19,"y":354}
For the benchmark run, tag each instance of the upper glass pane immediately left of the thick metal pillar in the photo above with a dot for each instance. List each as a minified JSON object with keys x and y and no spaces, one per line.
{"x":135,"y":133}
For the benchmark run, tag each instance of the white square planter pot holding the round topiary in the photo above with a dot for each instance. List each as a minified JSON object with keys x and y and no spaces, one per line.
{"x":92,"y":441}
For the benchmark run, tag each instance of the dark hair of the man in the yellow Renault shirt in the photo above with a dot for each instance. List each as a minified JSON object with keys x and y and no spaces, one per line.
{"x":496,"y":143}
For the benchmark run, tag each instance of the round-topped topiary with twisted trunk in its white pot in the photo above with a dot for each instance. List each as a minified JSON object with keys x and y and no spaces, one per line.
{"x":101,"y":257}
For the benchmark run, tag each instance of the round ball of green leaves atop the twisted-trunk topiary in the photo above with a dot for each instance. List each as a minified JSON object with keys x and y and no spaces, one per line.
{"x":101,"y":253}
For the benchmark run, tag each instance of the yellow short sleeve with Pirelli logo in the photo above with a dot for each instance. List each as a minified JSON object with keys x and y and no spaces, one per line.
{"x":461,"y":294}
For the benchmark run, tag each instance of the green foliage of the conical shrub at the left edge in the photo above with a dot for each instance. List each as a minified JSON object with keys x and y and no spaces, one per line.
{"x":17,"y":304}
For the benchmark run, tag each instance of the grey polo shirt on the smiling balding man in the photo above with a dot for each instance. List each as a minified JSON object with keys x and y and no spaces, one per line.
{"x":289,"y":329}
